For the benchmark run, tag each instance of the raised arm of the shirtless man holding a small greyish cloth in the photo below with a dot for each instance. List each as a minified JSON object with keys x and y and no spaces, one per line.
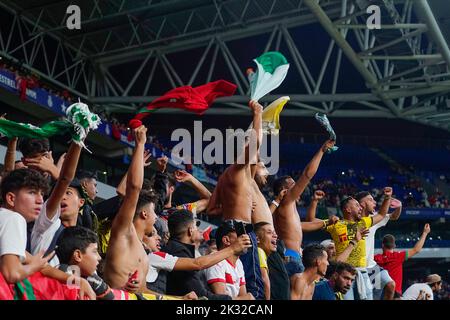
{"x":308,"y":173}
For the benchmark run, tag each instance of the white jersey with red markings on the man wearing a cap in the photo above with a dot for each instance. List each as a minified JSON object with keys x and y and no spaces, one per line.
{"x":232,"y":275}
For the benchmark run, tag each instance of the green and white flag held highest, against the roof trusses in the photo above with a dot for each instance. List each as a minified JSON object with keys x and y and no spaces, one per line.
{"x":272,"y":69}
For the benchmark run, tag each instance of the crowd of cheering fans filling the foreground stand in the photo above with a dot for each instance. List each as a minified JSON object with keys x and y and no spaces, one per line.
{"x":142,"y":245}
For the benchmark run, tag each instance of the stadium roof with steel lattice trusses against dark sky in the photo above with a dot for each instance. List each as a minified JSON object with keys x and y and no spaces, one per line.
{"x":129,"y":52}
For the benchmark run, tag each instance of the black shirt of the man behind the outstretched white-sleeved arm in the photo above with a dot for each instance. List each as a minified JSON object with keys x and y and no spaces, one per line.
{"x":182,"y":282}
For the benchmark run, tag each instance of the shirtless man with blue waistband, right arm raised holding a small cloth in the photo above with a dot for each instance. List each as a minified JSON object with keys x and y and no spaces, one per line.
{"x":286,"y":217}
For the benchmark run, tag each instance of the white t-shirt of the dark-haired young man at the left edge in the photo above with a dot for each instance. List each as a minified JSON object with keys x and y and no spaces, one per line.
{"x":13,"y":233}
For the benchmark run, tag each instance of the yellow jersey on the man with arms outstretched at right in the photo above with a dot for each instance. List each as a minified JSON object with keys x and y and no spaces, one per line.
{"x":343,"y":231}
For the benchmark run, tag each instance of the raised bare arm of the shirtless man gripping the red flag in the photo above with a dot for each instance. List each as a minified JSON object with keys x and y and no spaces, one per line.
{"x":124,"y":218}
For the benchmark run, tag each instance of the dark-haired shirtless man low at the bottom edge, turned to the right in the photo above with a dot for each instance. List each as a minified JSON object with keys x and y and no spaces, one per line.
{"x":316,"y":263}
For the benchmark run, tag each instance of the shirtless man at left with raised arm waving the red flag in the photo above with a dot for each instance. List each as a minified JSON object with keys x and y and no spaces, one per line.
{"x":126,"y":259}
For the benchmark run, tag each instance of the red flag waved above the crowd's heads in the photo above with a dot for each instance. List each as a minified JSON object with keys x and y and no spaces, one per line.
{"x":196,"y":100}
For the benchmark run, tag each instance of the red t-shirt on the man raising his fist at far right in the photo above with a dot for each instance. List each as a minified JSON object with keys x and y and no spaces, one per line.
{"x":393,"y":263}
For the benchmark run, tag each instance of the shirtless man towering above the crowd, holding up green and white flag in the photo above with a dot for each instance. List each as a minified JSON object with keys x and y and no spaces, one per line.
{"x":233,"y":197}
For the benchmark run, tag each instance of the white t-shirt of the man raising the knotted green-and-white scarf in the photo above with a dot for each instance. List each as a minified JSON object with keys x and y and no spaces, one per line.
{"x":44,"y":231}
